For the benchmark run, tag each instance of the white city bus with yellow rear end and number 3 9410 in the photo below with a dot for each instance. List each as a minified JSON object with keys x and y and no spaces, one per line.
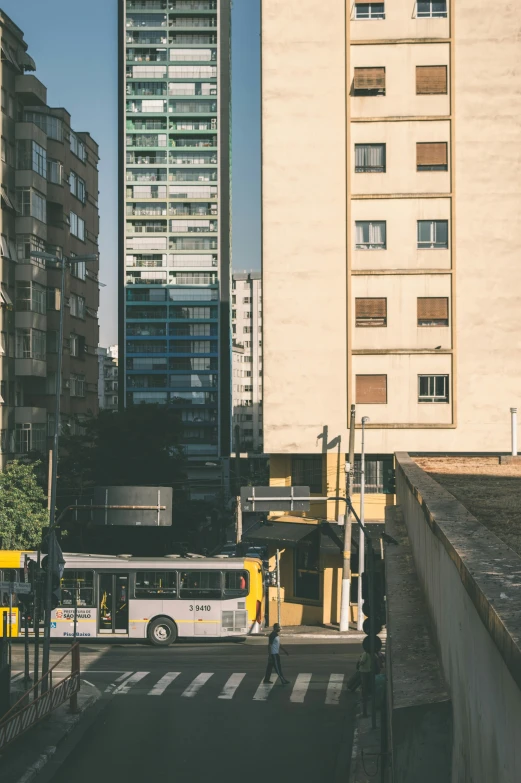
{"x":157,"y":598}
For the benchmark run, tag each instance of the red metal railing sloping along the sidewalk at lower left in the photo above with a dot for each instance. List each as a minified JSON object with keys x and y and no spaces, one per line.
{"x":31,"y":708}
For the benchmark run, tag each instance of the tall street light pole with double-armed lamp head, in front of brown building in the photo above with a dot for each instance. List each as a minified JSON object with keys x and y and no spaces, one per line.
{"x":47,"y":603}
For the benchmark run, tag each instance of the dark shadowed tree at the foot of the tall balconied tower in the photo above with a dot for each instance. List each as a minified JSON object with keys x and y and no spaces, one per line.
{"x":138,"y":446}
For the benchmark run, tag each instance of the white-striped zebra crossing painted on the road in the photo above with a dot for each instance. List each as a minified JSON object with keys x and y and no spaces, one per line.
{"x":328,"y":687}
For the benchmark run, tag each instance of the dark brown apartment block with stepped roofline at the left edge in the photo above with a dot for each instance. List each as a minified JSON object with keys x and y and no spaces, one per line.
{"x":49,"y":194}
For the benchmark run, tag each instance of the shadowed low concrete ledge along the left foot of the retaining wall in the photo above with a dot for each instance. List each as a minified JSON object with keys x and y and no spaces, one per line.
{"x":419,"y":705}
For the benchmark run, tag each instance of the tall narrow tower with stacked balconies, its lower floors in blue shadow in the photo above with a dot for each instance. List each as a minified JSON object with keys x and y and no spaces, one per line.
{"x":175,"y":215}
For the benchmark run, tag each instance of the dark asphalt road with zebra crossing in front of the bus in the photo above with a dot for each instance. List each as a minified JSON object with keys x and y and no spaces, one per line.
{"x":198,"y":712}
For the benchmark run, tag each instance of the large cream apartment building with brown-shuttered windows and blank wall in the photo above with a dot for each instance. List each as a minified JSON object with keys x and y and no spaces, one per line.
{"x":391,"y":209}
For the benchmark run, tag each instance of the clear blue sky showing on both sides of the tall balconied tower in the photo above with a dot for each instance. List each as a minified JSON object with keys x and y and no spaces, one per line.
{"x":74,"y":45}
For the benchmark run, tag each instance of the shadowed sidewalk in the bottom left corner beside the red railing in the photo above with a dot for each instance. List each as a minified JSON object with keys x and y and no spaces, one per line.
{"x":29,"y":754}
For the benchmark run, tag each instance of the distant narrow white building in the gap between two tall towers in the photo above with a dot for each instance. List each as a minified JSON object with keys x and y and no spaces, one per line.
{"x":247,"y":362}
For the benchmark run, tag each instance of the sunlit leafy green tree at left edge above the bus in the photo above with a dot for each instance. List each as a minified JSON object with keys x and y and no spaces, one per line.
{"x":23,"y":512}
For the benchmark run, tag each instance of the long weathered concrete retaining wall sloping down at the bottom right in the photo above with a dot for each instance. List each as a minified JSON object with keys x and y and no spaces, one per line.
{"x":472,"y":586}
